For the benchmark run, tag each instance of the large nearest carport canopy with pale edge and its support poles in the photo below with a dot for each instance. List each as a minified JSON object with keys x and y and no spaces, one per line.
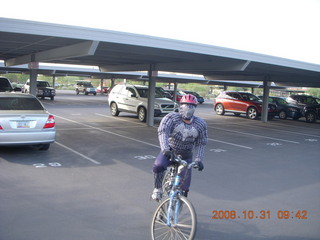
{"x":27,"y":42}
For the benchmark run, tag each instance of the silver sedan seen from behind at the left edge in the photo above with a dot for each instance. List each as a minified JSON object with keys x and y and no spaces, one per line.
{"x":24,"y":121}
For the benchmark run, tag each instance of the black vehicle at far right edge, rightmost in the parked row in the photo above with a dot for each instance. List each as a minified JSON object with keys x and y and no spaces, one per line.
{"x":309,"y":105}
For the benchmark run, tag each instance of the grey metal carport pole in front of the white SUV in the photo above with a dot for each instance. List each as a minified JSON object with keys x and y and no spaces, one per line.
{"x":151,"y":95}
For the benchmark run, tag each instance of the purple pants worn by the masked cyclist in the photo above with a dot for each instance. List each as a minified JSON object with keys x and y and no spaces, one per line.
{"x":162,"y":162}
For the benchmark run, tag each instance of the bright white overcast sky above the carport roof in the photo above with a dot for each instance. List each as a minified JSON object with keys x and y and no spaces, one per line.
{"x":284,"y":28}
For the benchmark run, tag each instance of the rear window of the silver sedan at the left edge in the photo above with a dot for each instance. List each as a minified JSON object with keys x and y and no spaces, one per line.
{"x":10,"y":103}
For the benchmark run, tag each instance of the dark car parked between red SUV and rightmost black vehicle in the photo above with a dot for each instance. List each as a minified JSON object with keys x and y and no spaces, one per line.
{"x":285,"y":110}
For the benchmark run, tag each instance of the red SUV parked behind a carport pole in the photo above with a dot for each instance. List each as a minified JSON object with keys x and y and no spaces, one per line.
{"x":242,"y":103}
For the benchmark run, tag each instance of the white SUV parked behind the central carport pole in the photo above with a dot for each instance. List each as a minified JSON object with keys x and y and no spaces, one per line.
{"x":133,"y":99}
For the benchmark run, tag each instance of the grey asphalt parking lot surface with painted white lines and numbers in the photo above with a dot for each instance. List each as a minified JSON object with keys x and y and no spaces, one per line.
{"x":95,"y":181}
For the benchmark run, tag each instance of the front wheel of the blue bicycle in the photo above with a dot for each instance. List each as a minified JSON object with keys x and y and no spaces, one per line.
{"x":184,"y":229}
